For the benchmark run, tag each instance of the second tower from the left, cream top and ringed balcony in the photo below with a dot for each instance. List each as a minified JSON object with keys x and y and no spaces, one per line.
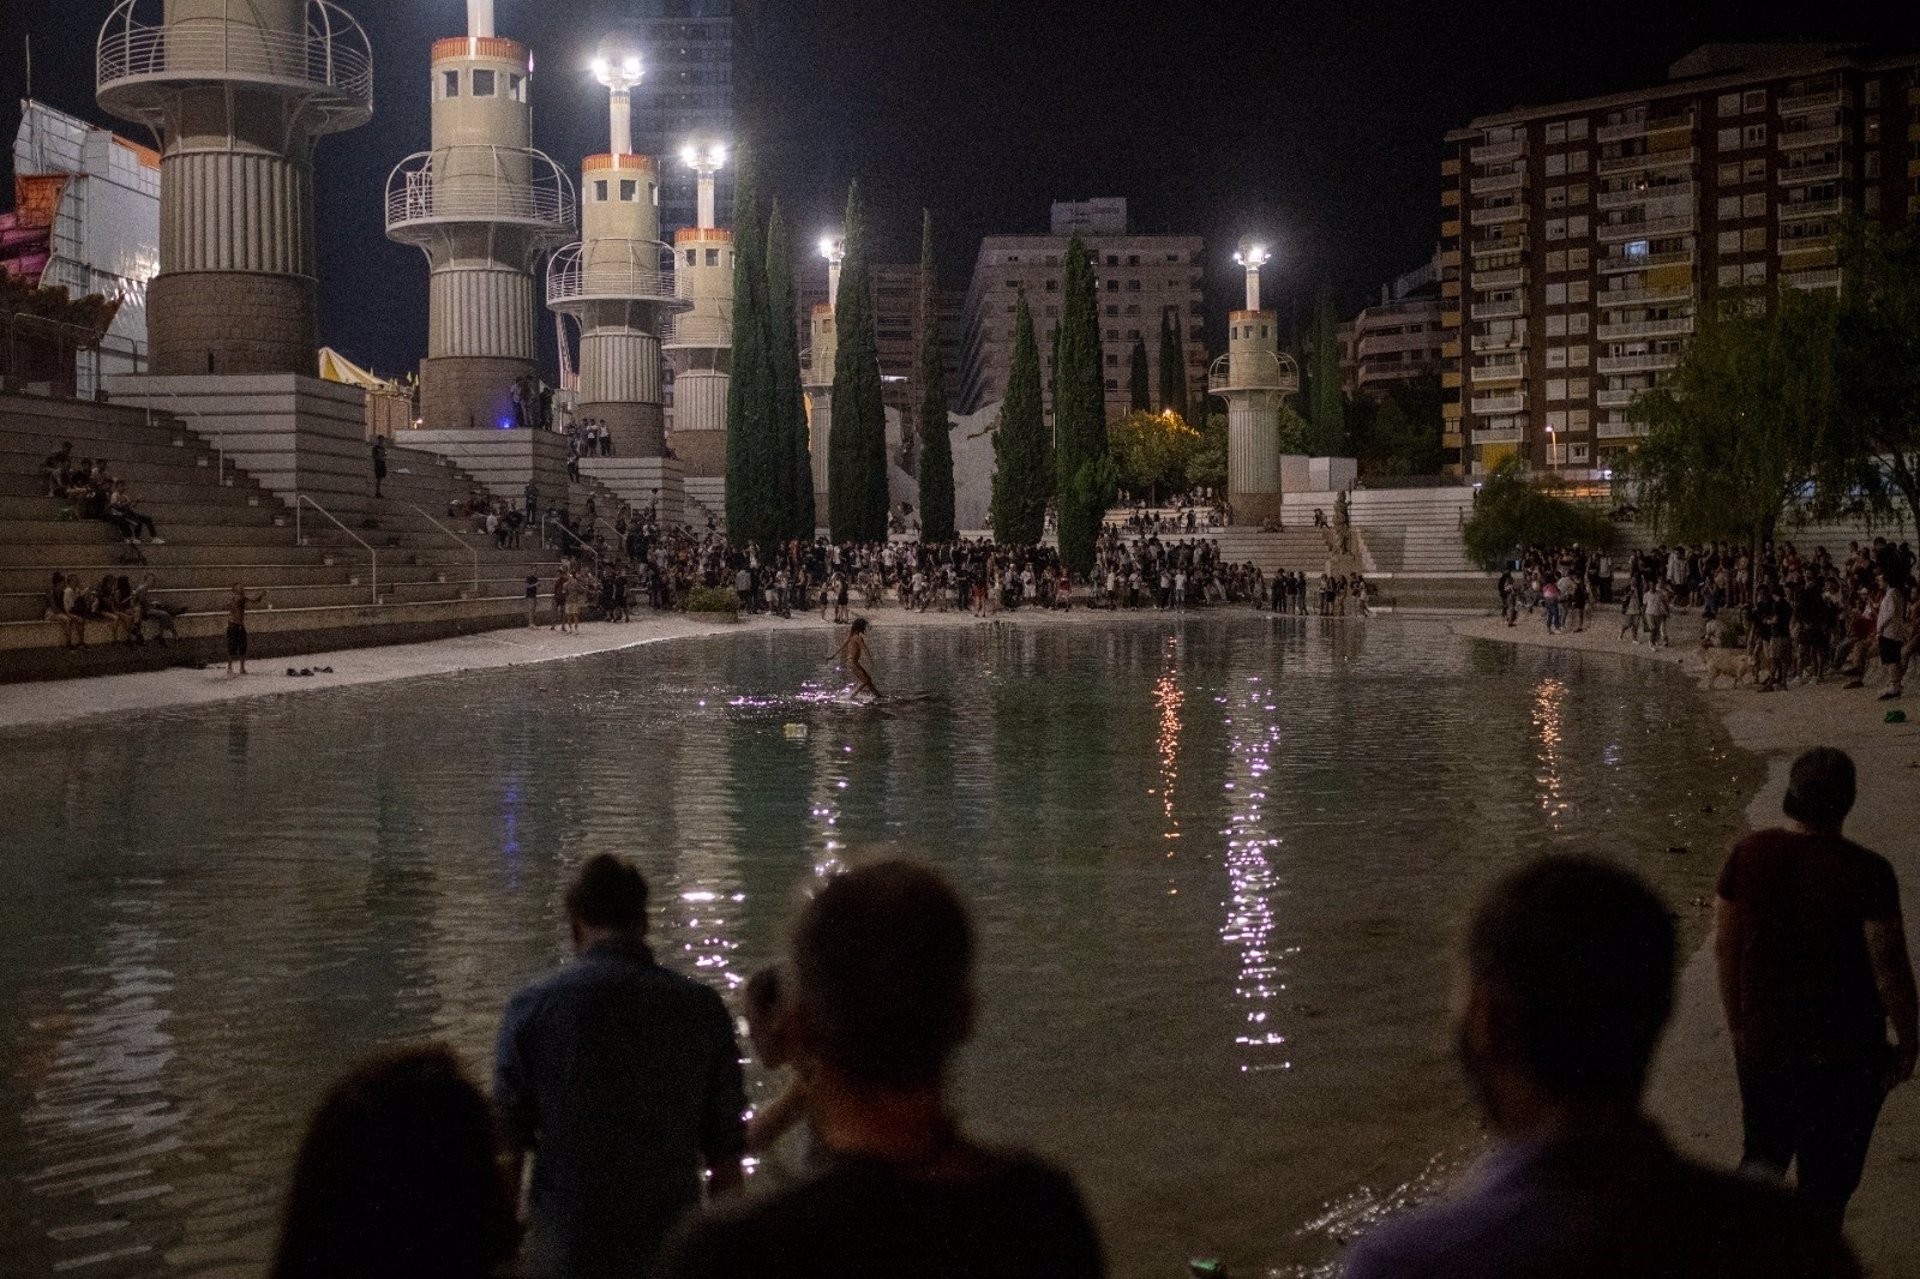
{"x":483,"y":206}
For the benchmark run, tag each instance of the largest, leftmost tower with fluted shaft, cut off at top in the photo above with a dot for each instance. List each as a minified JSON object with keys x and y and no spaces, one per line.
{"x":237,"y":93}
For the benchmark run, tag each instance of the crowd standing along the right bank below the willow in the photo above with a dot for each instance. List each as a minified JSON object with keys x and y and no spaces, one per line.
{"x":1790,"y":617}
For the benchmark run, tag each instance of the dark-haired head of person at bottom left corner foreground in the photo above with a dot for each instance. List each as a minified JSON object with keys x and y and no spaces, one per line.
{"x":402,"y":1176}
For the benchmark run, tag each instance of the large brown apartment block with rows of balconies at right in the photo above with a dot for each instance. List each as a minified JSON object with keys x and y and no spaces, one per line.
{"x":1581,"y":241}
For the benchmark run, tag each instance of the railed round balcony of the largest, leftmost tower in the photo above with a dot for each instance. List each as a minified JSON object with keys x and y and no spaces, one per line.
{"x":141,"y":62}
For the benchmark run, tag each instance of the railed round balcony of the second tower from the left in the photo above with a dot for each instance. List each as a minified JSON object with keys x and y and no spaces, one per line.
{"x":479,"y":185}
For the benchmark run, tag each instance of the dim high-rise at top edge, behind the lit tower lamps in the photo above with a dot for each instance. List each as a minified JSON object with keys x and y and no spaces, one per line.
{"x":688,"y":97}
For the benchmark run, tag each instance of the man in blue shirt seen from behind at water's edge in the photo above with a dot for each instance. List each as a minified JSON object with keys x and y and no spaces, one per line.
{"x":623,"y":1082}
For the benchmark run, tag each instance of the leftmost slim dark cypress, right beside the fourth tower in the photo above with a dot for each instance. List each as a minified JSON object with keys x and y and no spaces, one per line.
{"x":750,"y":422}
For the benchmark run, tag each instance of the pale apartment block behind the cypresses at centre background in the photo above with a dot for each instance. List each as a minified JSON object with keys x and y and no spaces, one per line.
{"x":1141,"y":278}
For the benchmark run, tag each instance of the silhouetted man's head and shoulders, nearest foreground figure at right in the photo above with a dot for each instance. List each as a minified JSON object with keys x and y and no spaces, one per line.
{"x":1570,"y":986}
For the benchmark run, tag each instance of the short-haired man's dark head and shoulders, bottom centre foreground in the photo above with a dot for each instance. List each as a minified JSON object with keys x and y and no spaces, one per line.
{"x":884,"y":998}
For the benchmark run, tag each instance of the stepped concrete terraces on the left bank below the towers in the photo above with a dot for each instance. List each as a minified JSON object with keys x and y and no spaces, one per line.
{"x":437,"y":575}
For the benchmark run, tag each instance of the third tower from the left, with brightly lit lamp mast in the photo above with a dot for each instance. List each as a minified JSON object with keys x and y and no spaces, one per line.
{"x":615,"y":281}
